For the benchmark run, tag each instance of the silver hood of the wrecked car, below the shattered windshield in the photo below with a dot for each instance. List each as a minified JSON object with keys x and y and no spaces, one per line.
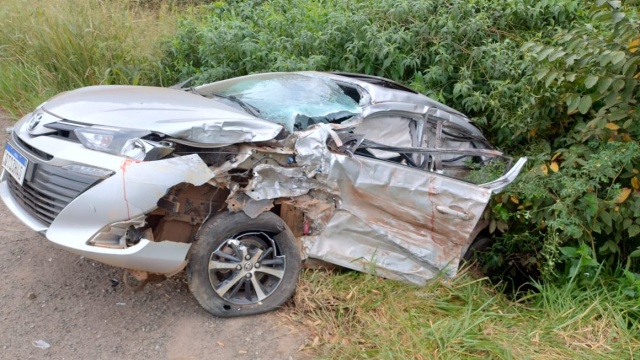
{"x":176,"y":113}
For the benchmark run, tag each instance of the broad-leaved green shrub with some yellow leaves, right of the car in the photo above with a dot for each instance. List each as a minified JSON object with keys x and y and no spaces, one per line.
{"x":581,"y":202}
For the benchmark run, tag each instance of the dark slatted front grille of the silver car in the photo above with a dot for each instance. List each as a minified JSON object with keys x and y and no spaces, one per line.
{"x":47,"y":189}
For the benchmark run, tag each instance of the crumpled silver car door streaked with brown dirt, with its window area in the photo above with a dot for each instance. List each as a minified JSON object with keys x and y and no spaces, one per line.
{"x":396,"y":219}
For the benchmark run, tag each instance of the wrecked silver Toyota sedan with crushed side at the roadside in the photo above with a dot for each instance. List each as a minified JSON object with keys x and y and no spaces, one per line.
{"x":243,"y":181}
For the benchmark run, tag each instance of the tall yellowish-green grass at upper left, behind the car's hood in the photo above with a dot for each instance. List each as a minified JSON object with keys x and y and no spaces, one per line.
{"x":51,"y":46}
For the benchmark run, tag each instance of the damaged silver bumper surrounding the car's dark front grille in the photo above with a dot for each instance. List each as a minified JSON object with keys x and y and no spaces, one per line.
{"x":124,"y":197}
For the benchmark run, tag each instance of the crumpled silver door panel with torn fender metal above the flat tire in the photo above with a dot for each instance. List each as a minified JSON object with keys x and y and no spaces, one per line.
{"x":401,"y":222}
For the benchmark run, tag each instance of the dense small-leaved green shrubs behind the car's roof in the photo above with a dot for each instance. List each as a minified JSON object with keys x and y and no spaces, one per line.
{"x":463,"y":53}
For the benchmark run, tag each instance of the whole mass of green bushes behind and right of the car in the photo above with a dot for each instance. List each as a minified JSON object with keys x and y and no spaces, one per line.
{"x":566,"y":99}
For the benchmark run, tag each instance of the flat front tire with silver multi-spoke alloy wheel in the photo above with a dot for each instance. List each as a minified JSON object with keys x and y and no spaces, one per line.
{"x":255,"y":264}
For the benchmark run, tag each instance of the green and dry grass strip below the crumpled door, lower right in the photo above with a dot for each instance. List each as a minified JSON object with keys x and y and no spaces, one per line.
{"x":355,"y":315}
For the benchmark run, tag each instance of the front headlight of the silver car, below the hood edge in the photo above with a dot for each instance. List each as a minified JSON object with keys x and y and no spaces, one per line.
{"x":123,"y":142}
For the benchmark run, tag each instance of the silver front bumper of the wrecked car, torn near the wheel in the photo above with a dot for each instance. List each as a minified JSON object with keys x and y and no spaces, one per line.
{"x":130,"y":193}
